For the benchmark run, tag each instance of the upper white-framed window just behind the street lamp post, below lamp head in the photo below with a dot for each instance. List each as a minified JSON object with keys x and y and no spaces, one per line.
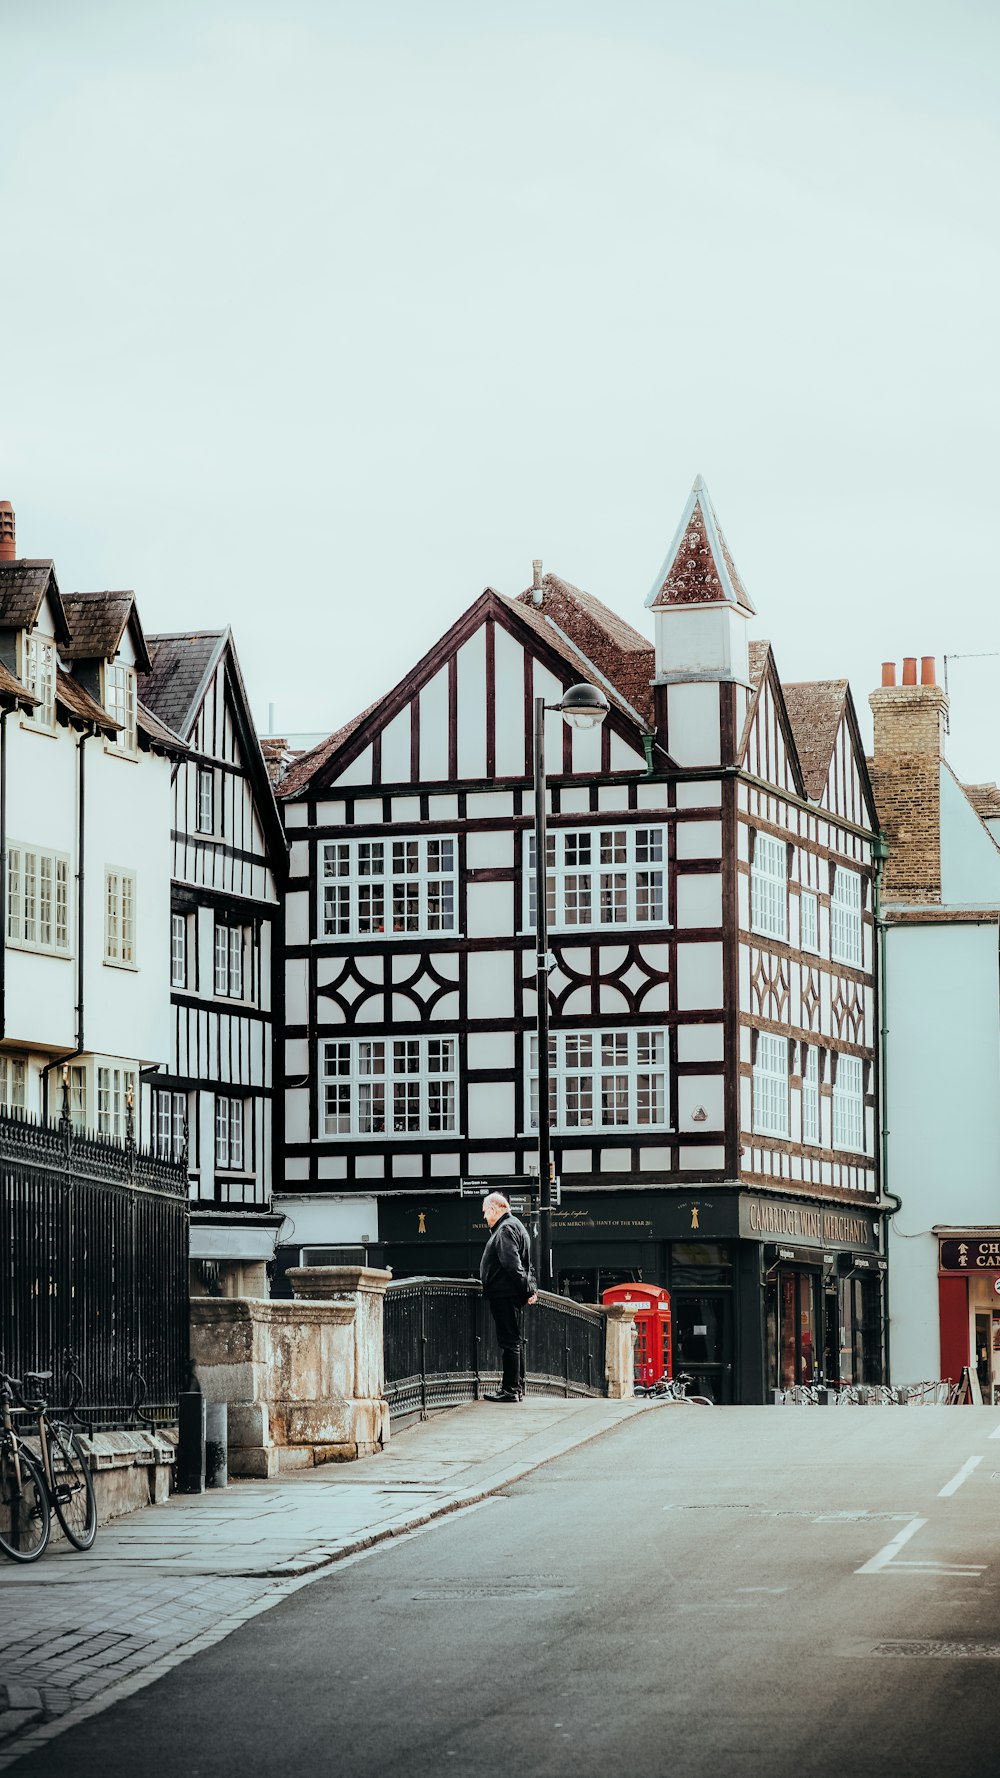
{"x":602,"y":877}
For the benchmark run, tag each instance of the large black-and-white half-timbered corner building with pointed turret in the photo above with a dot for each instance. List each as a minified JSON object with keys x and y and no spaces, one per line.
{"x":709,"y":890}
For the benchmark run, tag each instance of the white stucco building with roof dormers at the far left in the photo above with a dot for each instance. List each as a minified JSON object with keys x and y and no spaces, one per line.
{"x":86,"y":842}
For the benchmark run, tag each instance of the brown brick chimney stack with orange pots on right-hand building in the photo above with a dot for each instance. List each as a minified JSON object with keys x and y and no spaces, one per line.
{"x":907,"y":778}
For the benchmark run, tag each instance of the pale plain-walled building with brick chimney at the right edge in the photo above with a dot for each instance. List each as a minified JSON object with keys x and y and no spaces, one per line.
{"x":942,"y":1039}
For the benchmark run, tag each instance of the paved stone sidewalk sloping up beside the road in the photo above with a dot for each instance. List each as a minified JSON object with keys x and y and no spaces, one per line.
{"x":83,"y":1631}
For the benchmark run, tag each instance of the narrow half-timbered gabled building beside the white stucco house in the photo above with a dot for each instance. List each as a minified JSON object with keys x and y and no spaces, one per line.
{"x":225,"y":979}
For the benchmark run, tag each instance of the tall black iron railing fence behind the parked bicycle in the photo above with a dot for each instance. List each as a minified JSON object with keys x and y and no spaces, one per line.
{"x":93,"y":1267}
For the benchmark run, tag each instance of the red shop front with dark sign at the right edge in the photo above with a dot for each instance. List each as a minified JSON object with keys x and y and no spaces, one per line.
{"x":969,"y":1306}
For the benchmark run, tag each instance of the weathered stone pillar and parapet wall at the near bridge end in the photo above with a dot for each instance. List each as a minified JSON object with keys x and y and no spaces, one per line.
{"x":303,"y":1381}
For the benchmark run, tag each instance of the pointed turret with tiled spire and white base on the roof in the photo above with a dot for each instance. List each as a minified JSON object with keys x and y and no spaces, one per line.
{"x":702,"y":611}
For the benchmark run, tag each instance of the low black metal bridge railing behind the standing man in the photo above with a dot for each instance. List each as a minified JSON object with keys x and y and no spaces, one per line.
{"x":440,"y":1347}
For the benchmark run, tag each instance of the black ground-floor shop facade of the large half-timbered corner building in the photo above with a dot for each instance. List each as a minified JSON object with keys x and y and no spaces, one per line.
{"x":766,"y":1293}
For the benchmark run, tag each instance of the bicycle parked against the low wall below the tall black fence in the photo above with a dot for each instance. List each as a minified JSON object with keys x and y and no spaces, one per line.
{"x":35,"y":1487}
